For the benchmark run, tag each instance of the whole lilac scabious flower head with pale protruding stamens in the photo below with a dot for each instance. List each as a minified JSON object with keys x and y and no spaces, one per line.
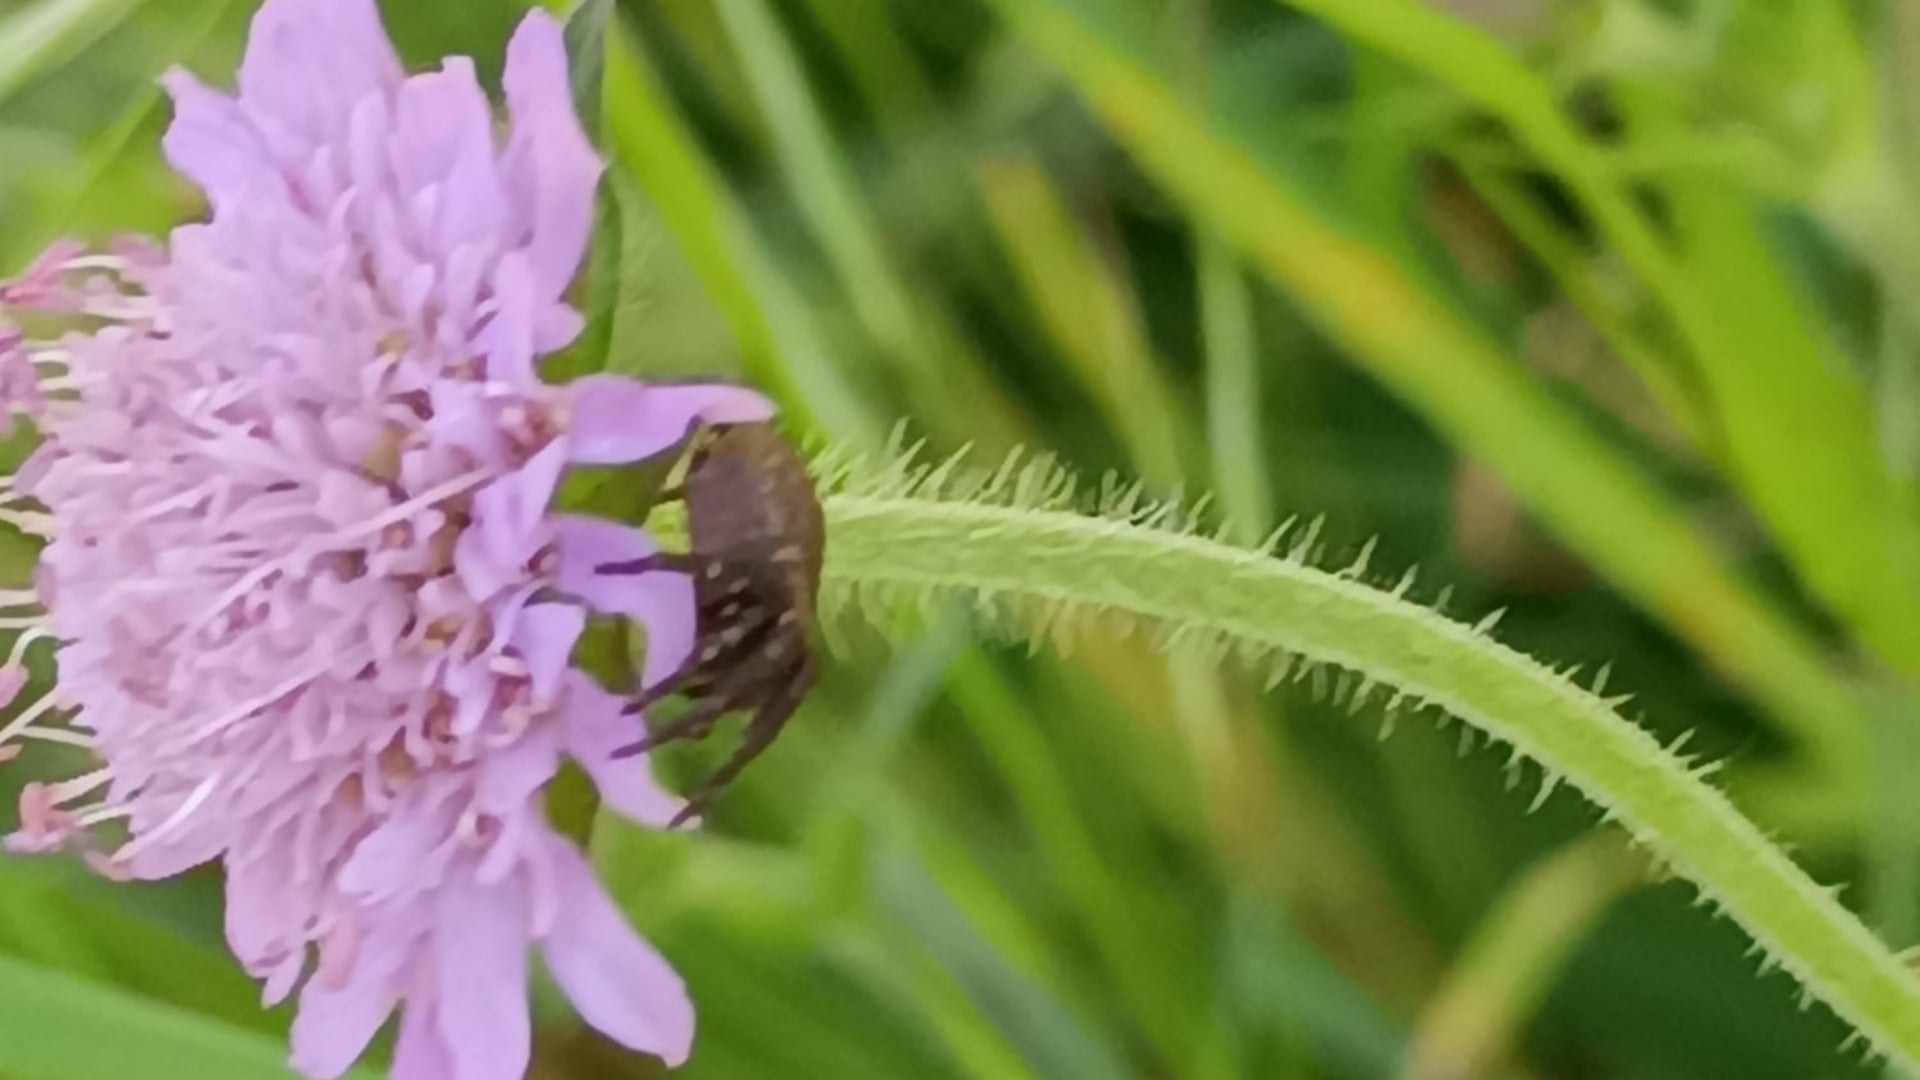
{"x":312,"y":612}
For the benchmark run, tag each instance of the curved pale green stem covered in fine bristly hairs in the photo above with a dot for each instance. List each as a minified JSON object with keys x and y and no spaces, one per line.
{"x":1042,"y":568}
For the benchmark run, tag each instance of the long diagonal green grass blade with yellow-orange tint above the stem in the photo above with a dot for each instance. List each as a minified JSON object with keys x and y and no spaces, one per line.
{"x":1452,"y":372}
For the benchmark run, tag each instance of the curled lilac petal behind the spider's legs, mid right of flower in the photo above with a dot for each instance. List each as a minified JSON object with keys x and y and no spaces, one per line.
{"x":661,"y":601}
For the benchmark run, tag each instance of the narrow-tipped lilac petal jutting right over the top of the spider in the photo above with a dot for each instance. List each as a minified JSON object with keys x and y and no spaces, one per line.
{"x":621,"y":420}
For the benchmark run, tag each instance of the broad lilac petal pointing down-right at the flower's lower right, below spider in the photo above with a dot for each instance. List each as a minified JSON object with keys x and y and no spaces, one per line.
{"x":615,"y":979}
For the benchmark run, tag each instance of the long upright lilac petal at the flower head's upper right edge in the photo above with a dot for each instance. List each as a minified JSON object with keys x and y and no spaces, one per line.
{"x":552,"y":159}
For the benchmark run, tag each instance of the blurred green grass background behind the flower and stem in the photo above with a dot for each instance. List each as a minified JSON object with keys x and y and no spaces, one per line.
{"x":1600,"y":312}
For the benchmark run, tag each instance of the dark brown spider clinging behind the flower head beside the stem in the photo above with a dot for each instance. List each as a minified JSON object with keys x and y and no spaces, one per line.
{"x":756,"y":547}
